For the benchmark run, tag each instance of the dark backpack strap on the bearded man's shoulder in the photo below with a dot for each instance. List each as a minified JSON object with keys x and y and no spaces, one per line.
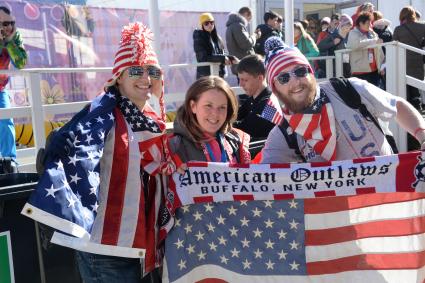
{"x":351,"y":98}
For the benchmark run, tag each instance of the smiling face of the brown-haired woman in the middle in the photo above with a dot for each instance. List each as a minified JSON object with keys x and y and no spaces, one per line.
{"x":210,"y":110}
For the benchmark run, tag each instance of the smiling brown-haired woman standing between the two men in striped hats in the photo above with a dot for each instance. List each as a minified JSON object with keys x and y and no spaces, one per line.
{"x":203,"y":126}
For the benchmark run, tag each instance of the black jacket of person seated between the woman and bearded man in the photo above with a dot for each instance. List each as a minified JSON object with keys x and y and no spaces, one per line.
{"x":249,"y":116}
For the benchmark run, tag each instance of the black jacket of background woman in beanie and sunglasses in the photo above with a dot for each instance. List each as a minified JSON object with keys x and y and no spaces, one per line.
{"x":208,"y":50}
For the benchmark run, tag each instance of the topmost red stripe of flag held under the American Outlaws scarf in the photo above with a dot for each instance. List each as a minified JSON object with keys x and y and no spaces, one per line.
{"x":334,"y":204}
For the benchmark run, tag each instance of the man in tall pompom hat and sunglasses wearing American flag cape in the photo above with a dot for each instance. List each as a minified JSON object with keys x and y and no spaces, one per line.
{"x":106,"y":172}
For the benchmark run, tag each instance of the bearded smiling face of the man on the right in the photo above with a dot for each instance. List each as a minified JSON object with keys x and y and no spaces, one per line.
{"x":298,"y":93}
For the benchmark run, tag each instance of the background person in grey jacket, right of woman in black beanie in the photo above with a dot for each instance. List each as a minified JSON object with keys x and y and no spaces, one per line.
{"x":239,"y":42}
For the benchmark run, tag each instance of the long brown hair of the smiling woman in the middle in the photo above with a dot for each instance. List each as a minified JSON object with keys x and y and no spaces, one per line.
{"x":187,"y":119}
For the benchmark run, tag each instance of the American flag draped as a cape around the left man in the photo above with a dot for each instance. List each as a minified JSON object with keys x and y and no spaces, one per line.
{"x":94,"y":192}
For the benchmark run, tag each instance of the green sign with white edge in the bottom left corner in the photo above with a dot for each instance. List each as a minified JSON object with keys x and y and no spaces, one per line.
{"x":6,"y":260}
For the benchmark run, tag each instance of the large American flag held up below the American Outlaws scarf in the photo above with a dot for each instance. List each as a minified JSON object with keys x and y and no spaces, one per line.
{"x":367,"y":238}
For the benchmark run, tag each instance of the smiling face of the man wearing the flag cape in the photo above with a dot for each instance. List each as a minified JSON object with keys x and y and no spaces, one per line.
{"x":136,"y":86}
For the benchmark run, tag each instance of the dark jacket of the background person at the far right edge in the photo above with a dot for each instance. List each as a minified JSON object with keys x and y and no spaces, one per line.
{"x":414,"y":63}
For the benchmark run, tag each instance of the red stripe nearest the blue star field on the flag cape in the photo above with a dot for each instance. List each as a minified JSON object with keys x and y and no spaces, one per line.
{"x":117,"y":183}
